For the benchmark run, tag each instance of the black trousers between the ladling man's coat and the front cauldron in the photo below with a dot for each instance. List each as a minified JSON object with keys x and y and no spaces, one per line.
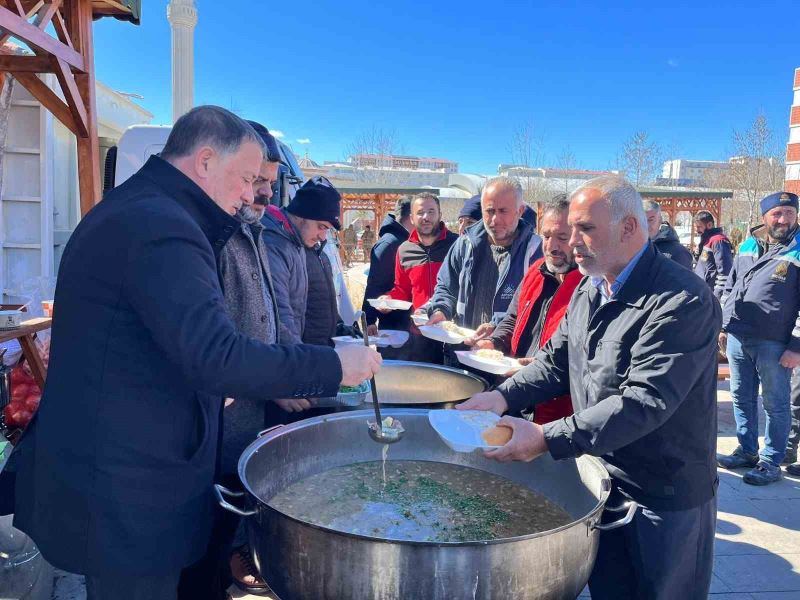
{"x":210,"y":577}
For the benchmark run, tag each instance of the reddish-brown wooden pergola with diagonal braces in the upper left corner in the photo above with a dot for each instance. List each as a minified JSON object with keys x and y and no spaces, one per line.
{"x":70,"y":57}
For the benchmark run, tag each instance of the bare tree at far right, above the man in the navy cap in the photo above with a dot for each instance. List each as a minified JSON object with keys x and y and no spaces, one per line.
{"x":756,"y":169}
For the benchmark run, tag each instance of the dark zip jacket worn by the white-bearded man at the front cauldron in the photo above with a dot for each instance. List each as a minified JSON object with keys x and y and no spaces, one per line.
{"x":642,"y":373}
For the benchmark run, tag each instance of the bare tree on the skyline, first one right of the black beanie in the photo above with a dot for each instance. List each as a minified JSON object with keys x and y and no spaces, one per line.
{"x":371,"y":155}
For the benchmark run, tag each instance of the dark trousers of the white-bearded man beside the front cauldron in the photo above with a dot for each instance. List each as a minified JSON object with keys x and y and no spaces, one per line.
{"x":660,"y":555}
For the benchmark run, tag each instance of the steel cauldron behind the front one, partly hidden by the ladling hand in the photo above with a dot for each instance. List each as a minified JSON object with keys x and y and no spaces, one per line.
{"x":421,"y":385}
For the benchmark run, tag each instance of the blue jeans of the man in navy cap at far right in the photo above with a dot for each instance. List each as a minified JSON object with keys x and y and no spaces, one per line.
{"x":752,"y":361}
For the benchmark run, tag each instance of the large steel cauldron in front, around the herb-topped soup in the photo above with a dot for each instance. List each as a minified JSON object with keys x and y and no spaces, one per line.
{"x":305,"y":562}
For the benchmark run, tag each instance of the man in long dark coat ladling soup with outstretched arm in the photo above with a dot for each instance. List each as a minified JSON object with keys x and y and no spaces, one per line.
{"x":115,"y":473}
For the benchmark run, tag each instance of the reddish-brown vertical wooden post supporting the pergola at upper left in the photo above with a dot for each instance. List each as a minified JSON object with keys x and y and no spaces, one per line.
{"x":80,"y":20}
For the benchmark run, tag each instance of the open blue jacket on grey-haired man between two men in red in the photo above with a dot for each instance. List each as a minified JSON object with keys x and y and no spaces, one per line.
{"x":454,"y":295}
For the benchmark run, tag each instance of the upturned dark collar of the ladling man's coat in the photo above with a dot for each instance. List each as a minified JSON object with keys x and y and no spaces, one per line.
{"x":217,"y":225}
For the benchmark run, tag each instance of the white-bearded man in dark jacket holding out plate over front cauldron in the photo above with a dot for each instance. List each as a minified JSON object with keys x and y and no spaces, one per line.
{"x":636,"y":350}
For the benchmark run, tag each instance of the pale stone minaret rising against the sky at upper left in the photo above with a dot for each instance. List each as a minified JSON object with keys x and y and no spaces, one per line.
{"x":182,"y":16}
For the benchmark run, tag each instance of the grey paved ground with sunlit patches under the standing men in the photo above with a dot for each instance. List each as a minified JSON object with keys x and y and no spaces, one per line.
{"x":758,"y":534}
